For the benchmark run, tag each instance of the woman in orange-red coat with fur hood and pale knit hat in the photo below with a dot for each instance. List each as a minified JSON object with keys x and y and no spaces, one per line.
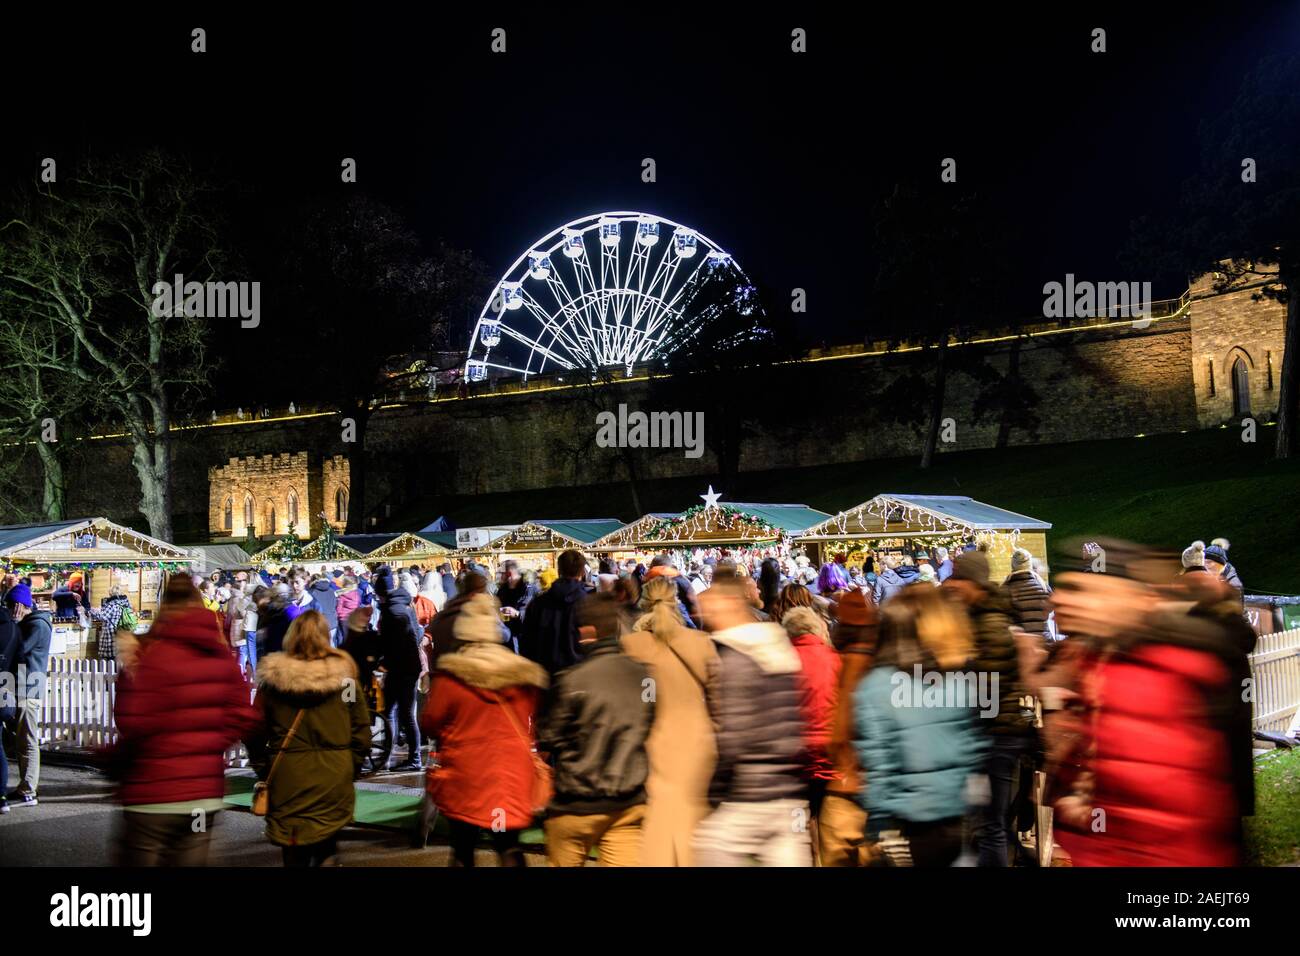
{"x":482,"y":706}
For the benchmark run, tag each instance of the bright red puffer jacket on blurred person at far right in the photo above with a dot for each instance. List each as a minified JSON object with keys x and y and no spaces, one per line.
{"x":1162,"y":769}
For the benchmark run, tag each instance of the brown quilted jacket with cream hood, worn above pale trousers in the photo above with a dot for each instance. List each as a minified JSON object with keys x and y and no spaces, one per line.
{"x":759,"y":725}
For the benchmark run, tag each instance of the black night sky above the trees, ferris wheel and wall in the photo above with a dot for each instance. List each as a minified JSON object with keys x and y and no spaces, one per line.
{"x":778,"y":158}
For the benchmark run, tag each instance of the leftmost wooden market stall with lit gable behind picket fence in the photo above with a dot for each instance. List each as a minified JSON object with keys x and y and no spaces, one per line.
{"x":102,"y":556}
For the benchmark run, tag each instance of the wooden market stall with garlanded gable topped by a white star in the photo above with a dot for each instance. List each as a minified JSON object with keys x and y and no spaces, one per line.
{"x":712,"y":529}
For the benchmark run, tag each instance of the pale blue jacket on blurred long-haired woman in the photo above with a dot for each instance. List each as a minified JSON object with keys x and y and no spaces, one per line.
{"x":916,"y":759}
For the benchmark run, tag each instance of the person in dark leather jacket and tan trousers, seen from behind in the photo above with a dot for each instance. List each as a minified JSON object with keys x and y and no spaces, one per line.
{"x":597,"y":723}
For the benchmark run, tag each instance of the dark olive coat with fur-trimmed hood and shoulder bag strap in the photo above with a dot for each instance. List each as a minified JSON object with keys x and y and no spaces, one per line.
{"x":311,"y":791}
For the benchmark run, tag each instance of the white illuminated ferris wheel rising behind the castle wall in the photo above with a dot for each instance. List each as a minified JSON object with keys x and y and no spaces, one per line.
{"x":612,"y":289}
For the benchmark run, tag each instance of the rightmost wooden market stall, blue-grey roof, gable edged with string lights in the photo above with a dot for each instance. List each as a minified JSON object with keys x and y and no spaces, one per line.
{"x":907,"y":524}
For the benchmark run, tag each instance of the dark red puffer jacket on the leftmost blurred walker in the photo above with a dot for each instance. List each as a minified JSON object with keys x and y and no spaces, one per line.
{"x":181,"y":703}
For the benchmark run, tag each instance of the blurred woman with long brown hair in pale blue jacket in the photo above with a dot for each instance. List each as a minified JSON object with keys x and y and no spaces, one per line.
{"x":918,"y":754}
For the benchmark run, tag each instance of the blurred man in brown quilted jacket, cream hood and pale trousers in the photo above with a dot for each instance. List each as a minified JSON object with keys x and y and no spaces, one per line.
{"x":757,"y":790}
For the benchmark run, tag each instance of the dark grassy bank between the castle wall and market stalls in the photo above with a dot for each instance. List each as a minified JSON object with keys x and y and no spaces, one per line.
{"x":1164,"y":491}
